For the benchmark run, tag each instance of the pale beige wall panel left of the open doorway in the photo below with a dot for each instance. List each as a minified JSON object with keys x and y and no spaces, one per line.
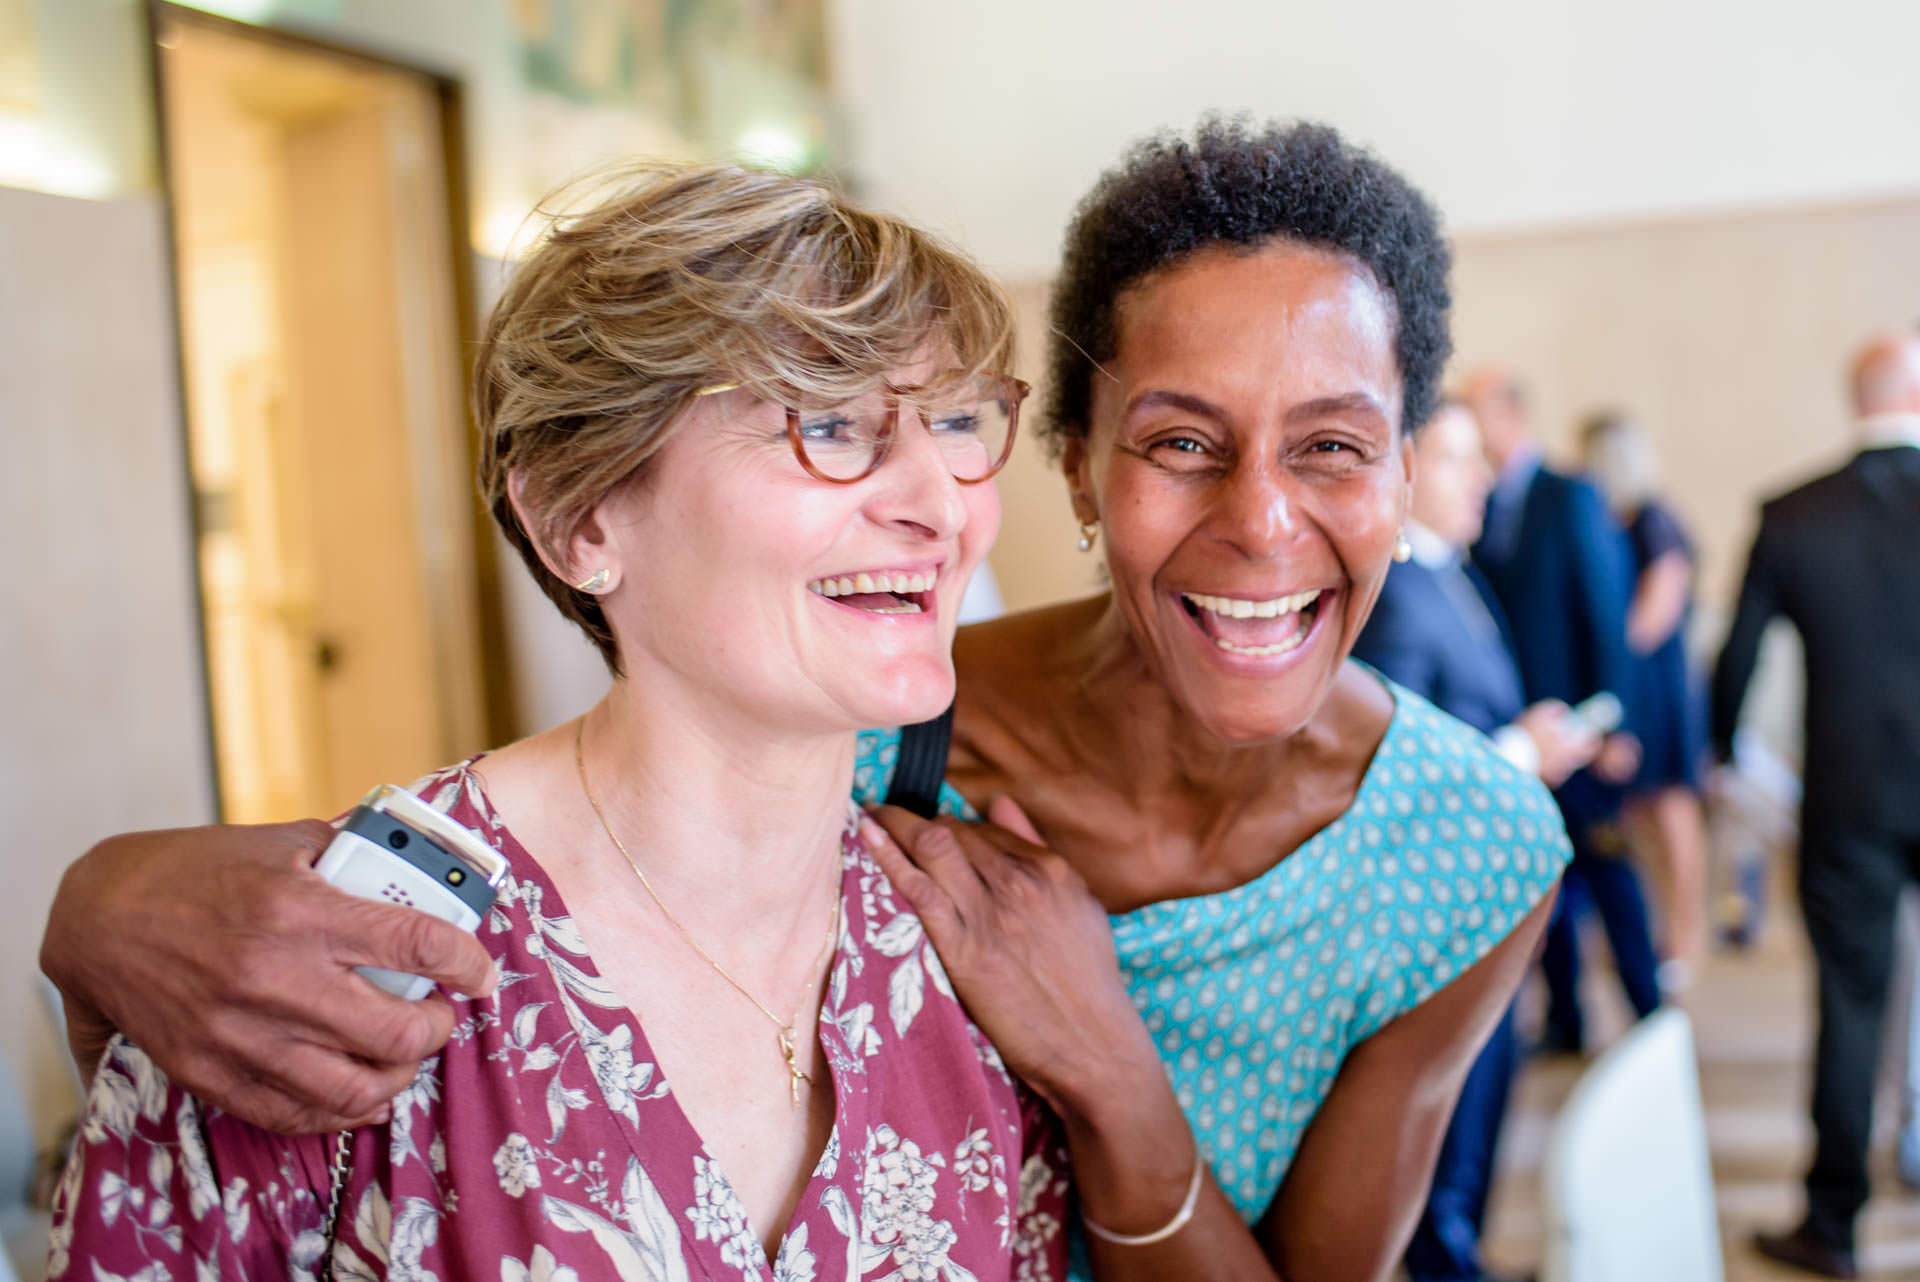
{"x":101,"y":684}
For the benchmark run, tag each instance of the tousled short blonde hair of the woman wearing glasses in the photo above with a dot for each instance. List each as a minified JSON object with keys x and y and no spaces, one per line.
{"x":677,"y":279}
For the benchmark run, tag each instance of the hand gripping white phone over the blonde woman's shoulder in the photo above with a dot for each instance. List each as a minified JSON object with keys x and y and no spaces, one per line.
{"x":229,"y":961}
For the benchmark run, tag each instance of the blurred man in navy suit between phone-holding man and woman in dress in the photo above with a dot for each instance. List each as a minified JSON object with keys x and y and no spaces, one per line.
{"x":1562,"y":569}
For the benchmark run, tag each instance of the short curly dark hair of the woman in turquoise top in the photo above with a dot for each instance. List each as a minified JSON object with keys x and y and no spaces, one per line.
{"x":1243,"y":185}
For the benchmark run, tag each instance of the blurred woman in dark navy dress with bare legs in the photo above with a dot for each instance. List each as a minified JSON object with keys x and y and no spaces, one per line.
{"x":1664,"y":813}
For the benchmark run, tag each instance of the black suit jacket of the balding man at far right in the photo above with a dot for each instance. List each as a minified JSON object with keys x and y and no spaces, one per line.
{"x":1840,"y":559}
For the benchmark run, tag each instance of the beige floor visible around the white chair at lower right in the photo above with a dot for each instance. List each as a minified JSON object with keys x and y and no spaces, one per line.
{"x":1754,"y":1030}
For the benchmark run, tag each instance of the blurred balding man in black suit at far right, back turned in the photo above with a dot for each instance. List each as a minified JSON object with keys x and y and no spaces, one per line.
{"x":1840,"y":559}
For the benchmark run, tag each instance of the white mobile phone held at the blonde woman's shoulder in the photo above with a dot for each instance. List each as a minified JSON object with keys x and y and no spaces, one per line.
{"x":398,"y":849}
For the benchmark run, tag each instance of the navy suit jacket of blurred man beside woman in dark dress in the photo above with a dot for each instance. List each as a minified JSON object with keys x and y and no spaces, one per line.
{"x":1566,"y":581}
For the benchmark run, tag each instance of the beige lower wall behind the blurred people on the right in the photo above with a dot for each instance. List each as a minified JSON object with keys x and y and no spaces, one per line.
{"x":1725,"y":335}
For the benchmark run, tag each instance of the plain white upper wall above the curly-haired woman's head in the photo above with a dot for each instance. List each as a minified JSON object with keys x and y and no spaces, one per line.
{"x":992,"y":118}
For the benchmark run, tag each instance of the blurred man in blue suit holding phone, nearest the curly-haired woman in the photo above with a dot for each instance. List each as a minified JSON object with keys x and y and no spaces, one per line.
{"x":1439,"y":632}
